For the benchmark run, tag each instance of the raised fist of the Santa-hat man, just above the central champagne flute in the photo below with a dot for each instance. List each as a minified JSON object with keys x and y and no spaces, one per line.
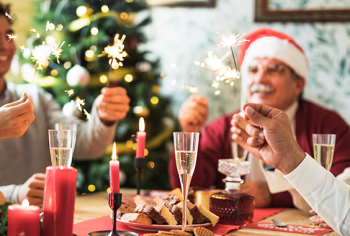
{"x":193,"y":113}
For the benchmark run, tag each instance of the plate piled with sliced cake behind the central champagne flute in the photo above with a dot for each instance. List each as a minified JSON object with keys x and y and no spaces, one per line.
{"x":163,"y":213}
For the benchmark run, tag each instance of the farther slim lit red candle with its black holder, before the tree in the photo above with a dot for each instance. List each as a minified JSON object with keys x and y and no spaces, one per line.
{"x":140,"y":161}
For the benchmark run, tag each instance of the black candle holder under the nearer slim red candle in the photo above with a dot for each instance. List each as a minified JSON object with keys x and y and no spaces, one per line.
{"x":114,"y":202}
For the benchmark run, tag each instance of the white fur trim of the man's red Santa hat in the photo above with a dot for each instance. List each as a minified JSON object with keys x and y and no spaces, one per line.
{"x":273,"y":47}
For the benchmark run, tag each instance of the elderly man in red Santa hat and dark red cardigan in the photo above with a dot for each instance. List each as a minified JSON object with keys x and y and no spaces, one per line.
{"x":274,"y":70}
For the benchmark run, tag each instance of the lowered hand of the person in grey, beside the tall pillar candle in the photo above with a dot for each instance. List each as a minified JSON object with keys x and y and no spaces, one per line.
{"x":33,"y":190}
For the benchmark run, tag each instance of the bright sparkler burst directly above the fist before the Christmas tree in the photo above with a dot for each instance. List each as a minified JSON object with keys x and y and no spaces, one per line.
{"x":115,"y":52}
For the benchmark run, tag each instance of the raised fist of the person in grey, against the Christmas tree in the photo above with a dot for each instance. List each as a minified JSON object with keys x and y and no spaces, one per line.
{"x":112,"y":104}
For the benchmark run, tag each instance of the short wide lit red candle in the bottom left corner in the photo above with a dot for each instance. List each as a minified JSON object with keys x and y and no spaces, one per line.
{"x":23,"y":219}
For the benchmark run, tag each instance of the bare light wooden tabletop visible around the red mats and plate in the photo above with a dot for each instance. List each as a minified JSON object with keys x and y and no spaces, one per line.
{"x":95,"y":205}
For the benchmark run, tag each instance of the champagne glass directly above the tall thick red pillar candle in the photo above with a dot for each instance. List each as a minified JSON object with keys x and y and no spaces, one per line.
{"x":61,"y":147}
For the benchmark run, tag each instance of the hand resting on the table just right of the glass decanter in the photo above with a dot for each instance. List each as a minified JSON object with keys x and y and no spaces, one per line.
{"x":260,"y":191}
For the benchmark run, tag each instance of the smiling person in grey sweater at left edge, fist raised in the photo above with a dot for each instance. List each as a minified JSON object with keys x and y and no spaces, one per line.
{"x":22,"y":157}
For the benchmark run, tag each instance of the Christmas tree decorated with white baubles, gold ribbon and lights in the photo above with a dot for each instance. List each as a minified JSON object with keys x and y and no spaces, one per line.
{"x":82,"y":29}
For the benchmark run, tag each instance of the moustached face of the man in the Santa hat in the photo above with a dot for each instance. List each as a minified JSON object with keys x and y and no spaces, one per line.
{"x":271,"y":82}
